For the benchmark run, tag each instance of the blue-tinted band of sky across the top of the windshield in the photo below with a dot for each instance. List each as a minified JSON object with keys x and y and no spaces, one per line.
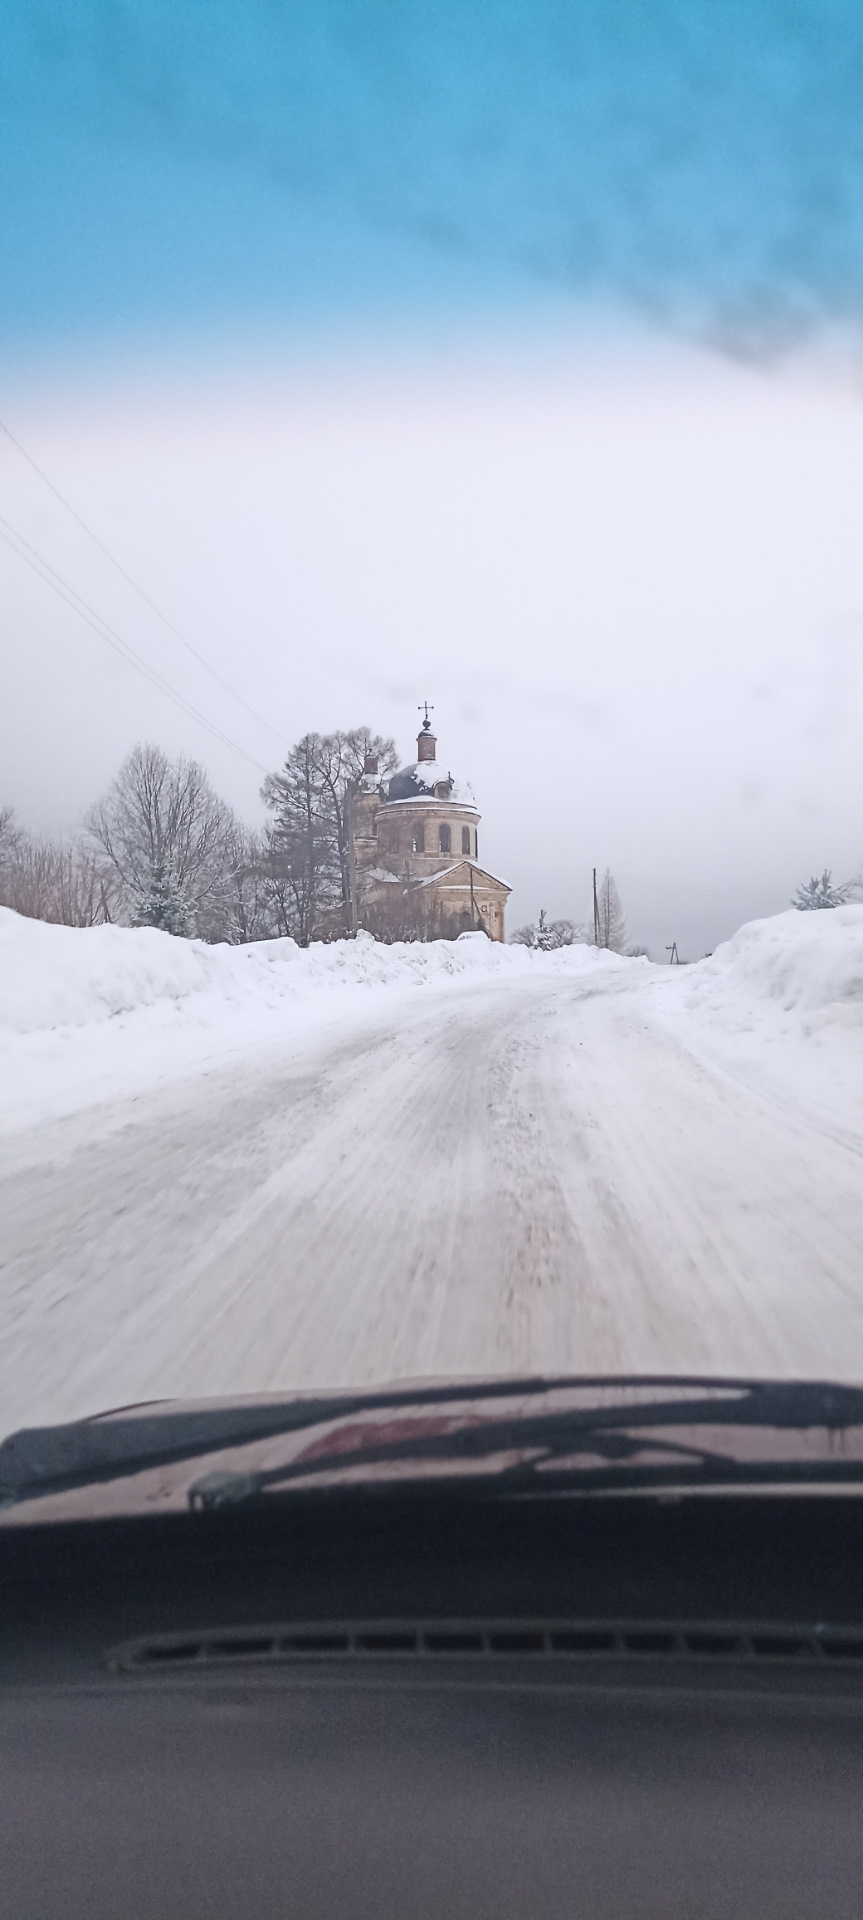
{"x":191,"y":170}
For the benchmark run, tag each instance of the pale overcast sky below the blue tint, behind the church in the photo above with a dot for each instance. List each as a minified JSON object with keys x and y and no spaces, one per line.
{"x":631,"y":583}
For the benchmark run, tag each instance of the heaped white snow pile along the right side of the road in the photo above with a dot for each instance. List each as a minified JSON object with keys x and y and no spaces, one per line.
{"x":806,"y":967}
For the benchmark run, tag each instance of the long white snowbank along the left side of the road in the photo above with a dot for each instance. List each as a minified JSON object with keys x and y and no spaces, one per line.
{"x":93,"y":1017}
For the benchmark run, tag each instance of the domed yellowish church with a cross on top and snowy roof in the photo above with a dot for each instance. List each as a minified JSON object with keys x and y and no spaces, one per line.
{"x":416,"y":853}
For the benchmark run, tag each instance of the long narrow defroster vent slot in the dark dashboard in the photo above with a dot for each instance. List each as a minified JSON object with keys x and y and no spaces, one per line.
{"x":493,"y":1641}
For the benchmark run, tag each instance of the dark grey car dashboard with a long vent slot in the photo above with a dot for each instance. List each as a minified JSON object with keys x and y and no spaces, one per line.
{"x":397,"y":1704}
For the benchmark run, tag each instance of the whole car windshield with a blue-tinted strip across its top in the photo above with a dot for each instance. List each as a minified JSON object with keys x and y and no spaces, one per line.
{"x":431,"y":840}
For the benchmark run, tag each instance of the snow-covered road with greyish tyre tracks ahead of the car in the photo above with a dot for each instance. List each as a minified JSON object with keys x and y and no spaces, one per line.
{"x":516,"y":1174}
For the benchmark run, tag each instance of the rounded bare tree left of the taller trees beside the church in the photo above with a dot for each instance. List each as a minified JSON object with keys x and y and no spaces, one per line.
{"x":160,"y":825}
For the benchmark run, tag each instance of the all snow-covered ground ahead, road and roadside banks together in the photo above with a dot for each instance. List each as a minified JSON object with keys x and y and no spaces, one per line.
{"x":234,"y":1170}
